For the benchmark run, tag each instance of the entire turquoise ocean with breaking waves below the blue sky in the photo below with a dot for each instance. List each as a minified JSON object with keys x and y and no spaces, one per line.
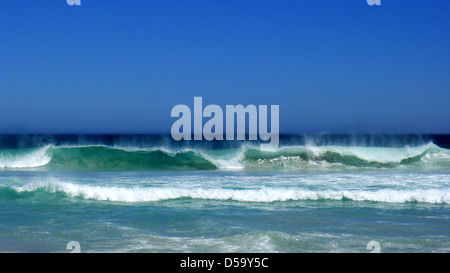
{"x":149,"y":193}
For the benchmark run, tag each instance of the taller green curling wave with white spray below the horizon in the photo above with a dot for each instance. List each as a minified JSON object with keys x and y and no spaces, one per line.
{"x":102,"y":157}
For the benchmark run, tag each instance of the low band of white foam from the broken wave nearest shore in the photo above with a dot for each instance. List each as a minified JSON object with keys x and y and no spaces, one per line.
{"x":137,"y":194}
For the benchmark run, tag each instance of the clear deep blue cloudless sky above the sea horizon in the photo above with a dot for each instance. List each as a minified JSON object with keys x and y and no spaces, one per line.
{"x":119,"y":66}
